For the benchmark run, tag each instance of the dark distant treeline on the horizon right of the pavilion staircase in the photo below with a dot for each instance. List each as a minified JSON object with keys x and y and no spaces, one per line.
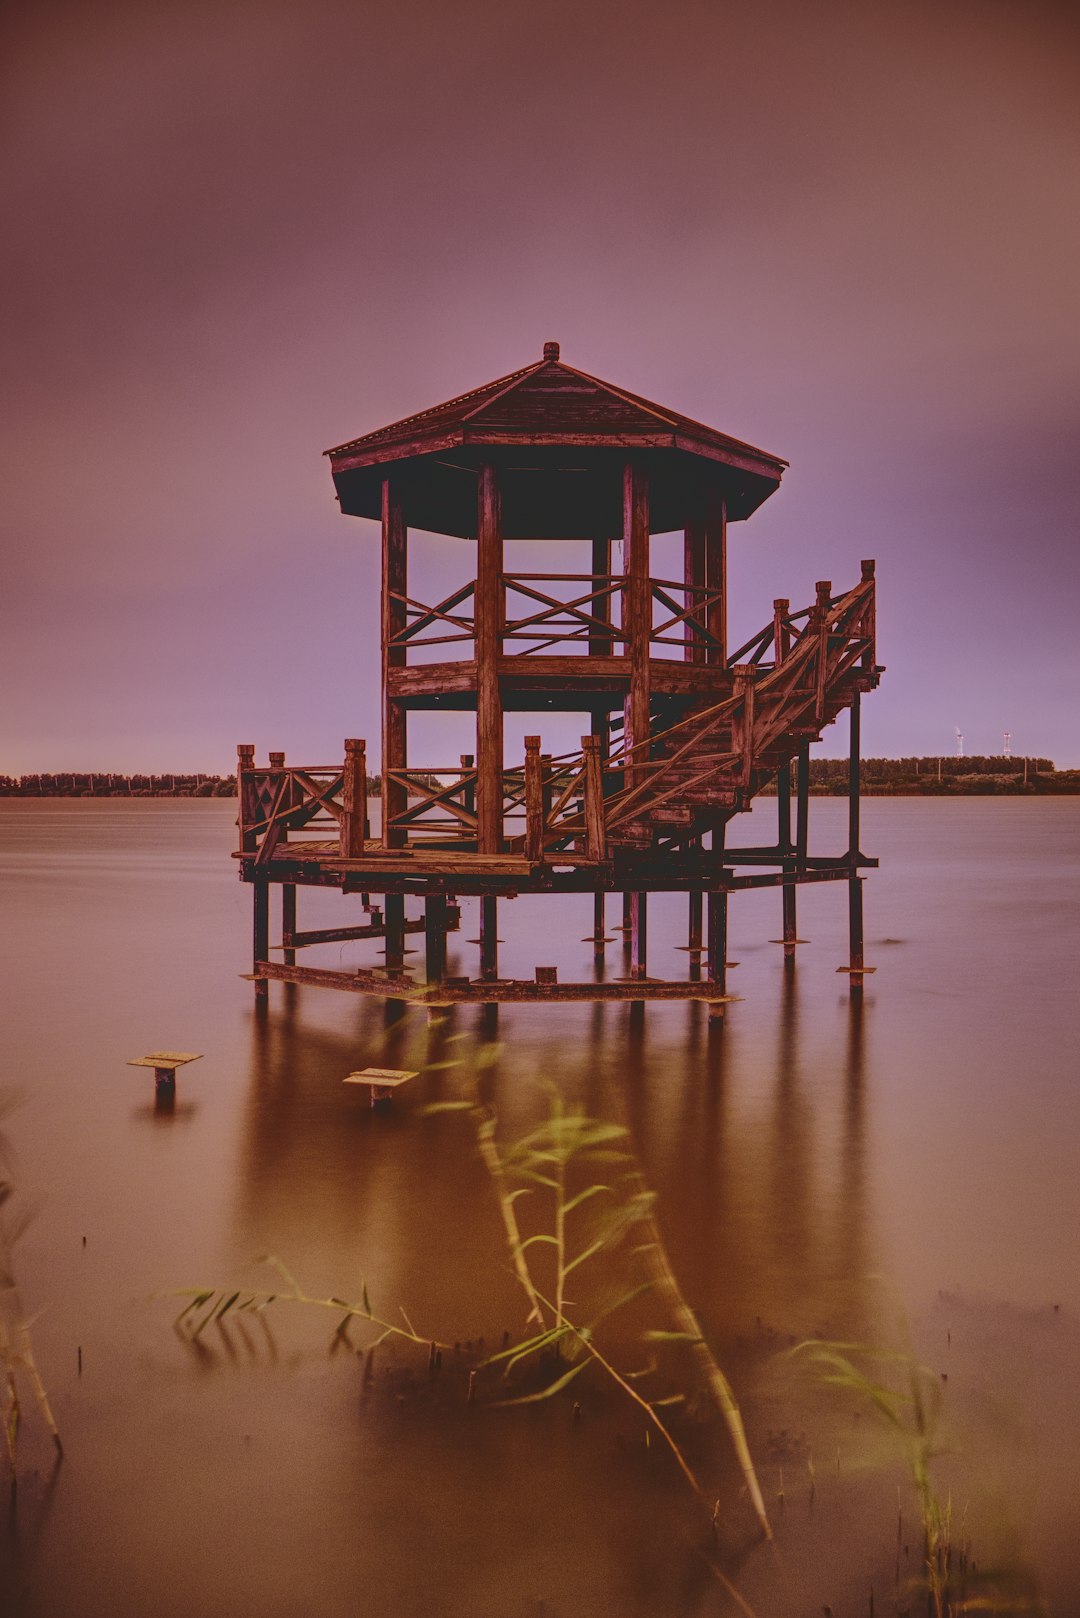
{"x":946,"y":777}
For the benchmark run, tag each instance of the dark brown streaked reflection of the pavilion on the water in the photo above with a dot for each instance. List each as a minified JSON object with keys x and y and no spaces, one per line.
{"x":760,"y":1169}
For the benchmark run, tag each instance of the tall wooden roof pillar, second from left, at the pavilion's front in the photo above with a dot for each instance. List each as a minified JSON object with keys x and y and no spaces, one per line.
{"x":490,"y":621}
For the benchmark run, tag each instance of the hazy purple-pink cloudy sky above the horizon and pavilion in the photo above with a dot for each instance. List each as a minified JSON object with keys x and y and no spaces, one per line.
{"x":239,"y":234}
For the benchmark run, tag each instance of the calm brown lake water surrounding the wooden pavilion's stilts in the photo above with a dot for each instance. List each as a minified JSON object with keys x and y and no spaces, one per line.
{"x":819,"y":1169}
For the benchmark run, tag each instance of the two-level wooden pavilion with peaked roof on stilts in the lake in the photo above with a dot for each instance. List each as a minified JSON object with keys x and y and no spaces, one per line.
{"x":681,"y":732}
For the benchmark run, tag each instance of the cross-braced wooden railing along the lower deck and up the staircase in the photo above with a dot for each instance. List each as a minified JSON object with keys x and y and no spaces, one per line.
{"x":788,"y":682}
